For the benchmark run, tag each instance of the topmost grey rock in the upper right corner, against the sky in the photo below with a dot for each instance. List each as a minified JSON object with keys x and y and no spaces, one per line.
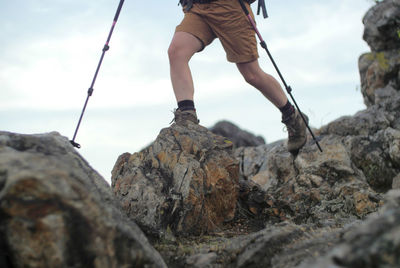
{"x":382,"y":24}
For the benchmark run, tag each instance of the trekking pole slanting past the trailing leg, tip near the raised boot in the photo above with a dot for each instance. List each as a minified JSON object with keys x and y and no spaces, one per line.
{"x":288,"y":88}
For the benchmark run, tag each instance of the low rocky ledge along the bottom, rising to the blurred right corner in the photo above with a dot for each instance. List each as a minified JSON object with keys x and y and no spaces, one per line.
{"x":372,"y":243}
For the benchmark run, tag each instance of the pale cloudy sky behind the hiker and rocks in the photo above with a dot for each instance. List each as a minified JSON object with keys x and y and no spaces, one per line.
{"x":50,"y":49}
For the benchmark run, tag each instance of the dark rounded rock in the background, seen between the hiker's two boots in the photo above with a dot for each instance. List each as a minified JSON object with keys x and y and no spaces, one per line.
{"x":239,"y":137}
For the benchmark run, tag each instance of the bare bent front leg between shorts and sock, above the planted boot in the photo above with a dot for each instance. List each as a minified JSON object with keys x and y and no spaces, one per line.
{"x":182,"y":48}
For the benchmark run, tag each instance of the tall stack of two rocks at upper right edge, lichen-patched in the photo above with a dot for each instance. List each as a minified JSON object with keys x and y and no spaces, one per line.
{"x":380,"y":68}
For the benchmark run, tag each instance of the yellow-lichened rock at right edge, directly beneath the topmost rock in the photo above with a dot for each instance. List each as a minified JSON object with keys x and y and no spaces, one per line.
{"x":379,"y":70}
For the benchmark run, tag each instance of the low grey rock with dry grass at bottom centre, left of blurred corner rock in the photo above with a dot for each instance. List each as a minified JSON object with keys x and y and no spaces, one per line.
{"x":282,"y":245}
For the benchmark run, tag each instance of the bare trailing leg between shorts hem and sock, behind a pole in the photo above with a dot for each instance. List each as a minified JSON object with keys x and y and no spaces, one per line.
{"x":264,"y":82}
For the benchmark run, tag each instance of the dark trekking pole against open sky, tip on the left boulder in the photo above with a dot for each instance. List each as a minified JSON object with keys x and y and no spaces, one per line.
{"x":91,"y":89}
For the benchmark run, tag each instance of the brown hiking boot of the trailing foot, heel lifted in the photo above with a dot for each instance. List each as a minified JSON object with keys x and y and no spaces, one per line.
{"x":297,"y":131}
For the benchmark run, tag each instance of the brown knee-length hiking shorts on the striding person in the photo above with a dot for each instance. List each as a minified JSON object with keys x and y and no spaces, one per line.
{"x":223,"y":19}
